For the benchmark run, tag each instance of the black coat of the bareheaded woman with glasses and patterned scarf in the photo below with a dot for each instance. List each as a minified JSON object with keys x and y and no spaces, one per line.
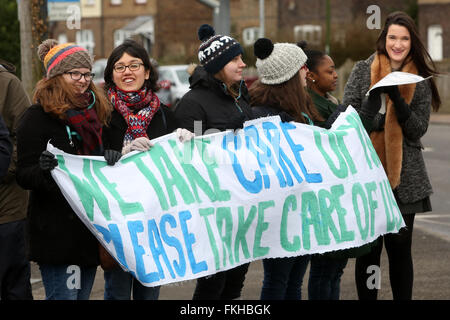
{"x":163,"y":122}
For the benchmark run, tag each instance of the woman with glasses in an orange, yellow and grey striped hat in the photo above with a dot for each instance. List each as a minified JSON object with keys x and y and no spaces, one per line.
{"x":68,"y":112}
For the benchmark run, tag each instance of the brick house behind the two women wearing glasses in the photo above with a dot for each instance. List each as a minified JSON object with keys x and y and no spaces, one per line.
{"x":163,"y":27}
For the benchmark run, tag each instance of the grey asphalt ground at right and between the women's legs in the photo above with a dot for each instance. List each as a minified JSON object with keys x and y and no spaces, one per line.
{"x":431,"y":242}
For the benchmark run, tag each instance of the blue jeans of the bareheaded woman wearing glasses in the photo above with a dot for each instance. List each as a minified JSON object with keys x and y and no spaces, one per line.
{"x":119,"y":285}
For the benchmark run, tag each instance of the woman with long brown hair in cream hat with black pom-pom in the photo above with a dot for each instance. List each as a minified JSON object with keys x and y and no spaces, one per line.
{"x":280,"y":91}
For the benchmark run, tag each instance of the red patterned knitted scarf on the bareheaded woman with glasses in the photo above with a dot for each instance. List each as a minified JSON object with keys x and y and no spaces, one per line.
{"x":137,"y":108}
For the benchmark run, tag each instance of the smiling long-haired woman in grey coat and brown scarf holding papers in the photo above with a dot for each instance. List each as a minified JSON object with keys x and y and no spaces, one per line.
{"x":396,"y":135}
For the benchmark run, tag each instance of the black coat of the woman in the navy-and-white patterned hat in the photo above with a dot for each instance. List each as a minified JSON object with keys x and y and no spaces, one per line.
{"x":209,"y":102}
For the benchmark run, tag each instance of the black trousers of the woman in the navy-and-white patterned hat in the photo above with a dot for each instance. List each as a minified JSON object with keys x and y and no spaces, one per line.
{"x":225,"y":285}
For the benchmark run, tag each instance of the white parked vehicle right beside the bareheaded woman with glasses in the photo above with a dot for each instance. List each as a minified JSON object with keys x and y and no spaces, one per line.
{"x":174,"y":80}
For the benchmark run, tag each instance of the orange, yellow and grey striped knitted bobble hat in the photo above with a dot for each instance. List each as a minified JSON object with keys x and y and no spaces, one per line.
{"x":60,"y":58}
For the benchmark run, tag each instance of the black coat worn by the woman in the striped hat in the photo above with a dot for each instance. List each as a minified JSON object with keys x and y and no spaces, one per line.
{"x":57,"y":235}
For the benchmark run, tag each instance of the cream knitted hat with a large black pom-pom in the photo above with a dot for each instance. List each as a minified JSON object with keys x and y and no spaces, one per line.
{"x":279,"y":62}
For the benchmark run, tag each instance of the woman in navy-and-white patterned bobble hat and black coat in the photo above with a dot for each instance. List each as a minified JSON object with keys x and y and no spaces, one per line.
{"x":218,"y":100}
